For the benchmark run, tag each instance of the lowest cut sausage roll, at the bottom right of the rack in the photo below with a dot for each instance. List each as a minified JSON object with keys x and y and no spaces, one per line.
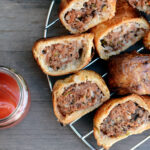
{"x":119,"y":118}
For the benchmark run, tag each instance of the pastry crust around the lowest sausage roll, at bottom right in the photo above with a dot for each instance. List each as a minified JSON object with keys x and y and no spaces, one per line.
{"x":103,"y":112}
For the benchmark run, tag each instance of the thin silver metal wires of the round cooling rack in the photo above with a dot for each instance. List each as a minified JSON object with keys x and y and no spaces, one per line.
{"x":82,"y":137}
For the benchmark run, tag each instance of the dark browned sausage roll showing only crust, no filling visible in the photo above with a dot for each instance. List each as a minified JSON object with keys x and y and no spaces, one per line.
{"x":129,"y":73}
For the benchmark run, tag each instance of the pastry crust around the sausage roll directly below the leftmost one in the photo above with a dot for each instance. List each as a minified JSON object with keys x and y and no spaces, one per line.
{"x":81,"y":76}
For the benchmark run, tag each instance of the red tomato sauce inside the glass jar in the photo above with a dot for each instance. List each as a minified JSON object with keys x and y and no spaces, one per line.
{"x":9,"y":95}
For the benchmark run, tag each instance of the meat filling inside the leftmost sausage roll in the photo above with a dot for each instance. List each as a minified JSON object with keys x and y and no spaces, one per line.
{"x":59,"y":55}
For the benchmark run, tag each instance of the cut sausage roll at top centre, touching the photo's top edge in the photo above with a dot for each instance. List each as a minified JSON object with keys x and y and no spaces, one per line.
{"x":80,"y":15}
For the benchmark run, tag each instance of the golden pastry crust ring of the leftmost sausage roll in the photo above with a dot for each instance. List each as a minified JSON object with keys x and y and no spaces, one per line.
{"x":86,"y":55}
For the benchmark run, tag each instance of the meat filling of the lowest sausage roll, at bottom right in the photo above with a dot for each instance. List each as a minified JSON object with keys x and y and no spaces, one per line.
{"x":124,"y":117}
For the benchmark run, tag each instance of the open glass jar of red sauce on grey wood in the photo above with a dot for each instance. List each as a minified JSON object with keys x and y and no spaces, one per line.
{"x":14,"y":98}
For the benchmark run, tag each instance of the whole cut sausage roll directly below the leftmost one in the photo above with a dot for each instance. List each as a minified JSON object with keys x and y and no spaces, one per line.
{"x":78,"y":95}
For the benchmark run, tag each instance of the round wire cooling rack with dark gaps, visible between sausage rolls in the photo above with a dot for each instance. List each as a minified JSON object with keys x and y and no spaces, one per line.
{"x":82,"y":127}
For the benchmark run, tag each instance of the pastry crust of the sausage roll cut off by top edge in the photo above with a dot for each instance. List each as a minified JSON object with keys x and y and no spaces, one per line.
{"x":67,"y":4}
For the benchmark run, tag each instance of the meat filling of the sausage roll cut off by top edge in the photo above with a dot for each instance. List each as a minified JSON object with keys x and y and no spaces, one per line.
{"x":79,"y":18}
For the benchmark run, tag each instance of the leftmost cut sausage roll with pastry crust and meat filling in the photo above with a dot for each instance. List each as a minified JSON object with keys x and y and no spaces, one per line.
{"x":63,"y":55}
